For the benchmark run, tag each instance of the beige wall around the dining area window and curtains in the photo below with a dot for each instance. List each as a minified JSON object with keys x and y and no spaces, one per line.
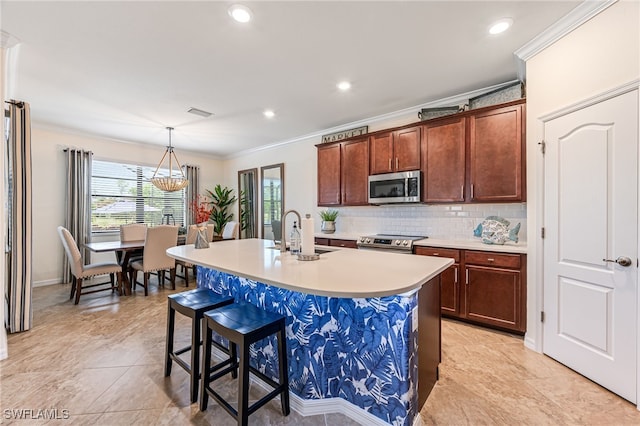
{"x":49,"y":186}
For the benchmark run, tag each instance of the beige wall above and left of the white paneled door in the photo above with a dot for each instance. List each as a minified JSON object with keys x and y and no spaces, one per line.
{"x":601,"y":54}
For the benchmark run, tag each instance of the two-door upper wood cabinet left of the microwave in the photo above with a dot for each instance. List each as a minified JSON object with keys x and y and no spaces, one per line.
{"x":343,"y":173}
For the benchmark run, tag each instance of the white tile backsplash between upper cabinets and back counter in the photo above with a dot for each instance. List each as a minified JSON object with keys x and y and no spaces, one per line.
{"x":452,"y":221}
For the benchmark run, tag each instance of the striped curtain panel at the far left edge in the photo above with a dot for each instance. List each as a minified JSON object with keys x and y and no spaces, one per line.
{"x":18,"y":250}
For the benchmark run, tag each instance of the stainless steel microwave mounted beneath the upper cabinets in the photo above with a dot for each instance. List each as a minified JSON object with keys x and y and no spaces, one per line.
{"x":391,"y":188}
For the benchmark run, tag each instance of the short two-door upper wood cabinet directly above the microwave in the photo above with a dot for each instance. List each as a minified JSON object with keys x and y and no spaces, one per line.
{"x":396,"y":151}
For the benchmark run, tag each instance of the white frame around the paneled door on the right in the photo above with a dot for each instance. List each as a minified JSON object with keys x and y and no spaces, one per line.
{"x":538,"y":329}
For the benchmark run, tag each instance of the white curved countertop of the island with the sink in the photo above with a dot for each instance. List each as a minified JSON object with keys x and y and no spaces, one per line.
{"x":342,"y":272}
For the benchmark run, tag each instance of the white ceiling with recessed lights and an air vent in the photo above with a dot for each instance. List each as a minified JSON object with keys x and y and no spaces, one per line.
{"x":126,"y":70}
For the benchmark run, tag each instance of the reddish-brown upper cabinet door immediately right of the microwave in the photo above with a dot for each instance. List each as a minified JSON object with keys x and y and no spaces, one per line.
{"x":444,"y":161}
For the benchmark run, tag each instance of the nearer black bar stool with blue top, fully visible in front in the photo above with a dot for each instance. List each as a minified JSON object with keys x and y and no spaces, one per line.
{"x":243,"y":324}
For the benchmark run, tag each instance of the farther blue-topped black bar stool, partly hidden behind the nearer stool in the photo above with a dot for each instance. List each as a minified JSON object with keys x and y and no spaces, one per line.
{"x":193,"y":304}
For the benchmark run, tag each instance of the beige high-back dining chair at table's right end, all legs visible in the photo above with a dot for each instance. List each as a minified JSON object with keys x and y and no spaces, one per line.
{"x":154,"y":259}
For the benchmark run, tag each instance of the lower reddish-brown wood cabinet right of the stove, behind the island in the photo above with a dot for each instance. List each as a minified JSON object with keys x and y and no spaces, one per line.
{"x":483,"y":287}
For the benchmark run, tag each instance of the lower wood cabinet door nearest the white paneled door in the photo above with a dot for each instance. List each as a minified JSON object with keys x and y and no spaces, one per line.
{"x":493,"y":296}
